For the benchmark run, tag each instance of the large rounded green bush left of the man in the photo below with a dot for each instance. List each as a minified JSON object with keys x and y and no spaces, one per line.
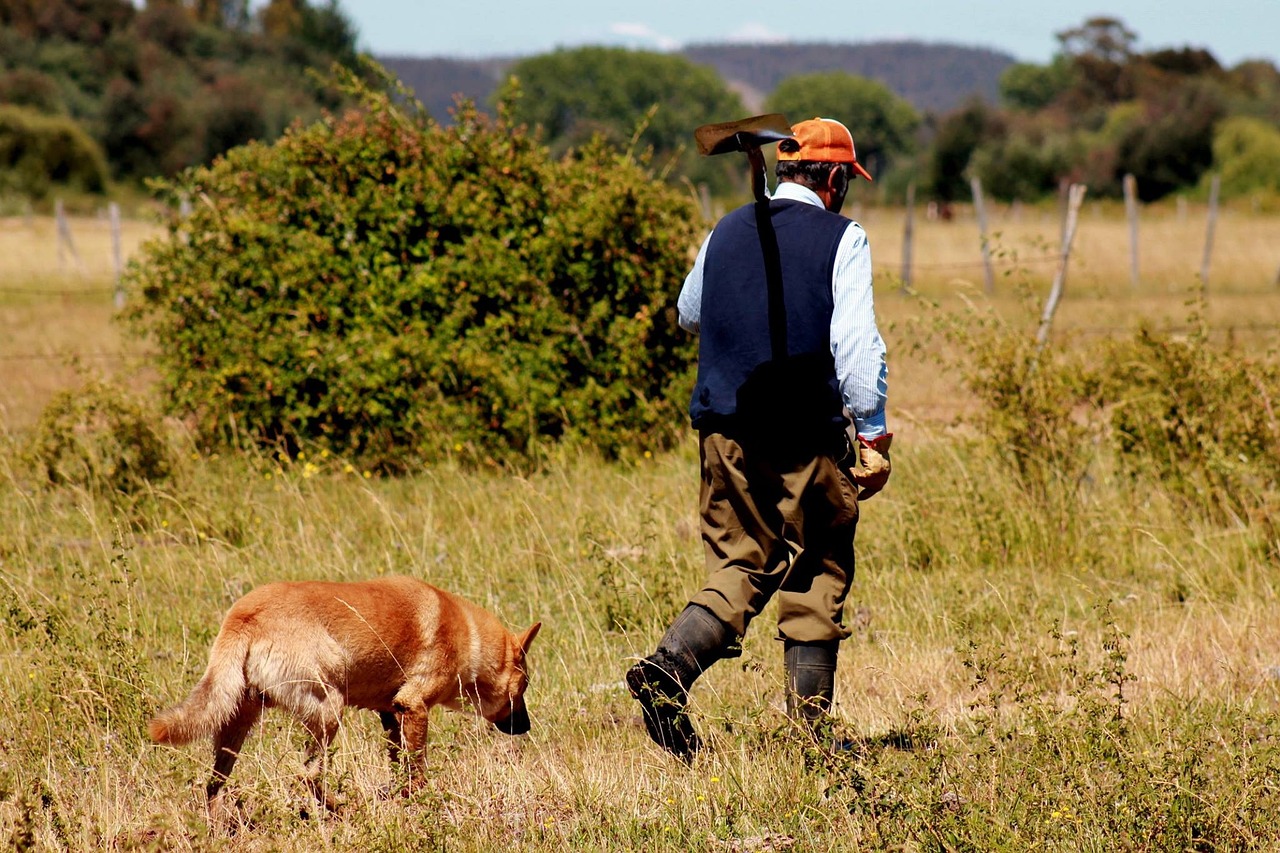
{"x":396,"y":291}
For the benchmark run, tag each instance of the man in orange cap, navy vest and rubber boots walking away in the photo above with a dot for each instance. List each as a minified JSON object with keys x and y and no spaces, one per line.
{"x":781,"y":298}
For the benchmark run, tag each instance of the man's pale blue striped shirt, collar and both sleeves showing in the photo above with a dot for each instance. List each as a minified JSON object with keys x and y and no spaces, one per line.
{"x":856,"y":340}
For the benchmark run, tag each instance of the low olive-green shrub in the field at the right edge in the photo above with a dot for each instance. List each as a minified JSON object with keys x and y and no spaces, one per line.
{"x":1199,"y":418}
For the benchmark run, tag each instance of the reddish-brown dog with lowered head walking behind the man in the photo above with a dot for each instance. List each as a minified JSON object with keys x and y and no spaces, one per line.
{"x":396,"y":646}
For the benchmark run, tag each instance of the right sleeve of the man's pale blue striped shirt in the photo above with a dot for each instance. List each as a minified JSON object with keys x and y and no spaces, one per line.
{"x":856,"y":340}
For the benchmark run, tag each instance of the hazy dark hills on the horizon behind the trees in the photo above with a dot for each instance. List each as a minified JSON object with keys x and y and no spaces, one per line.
{"x":934,"y":77}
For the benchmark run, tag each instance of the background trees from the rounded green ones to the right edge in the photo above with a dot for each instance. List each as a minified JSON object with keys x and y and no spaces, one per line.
{"x":1098,"y":112}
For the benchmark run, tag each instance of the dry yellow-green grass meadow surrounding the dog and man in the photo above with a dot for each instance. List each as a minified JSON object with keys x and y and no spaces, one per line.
{"x":1095,"y":669}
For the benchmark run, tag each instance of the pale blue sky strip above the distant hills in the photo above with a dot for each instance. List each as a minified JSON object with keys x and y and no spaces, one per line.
{"x":1232,"y":30}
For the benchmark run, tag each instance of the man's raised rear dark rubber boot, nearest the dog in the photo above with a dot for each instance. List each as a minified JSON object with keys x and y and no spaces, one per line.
{"x":661,"y":682}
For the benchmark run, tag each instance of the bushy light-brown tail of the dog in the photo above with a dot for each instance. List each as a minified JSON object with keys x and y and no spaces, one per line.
{"x":217,"y":697}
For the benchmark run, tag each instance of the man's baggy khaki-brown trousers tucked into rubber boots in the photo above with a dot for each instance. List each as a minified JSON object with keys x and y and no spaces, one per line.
{"x":772,"y":528}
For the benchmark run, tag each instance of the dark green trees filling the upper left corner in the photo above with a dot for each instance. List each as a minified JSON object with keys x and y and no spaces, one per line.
{"x":184,"y":84}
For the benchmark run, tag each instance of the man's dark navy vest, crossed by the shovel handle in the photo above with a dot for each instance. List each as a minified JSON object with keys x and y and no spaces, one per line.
{"x":734,"y":340}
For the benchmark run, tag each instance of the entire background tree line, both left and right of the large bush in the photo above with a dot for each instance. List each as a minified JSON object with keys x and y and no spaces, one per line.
{"x":94,"y":92}
